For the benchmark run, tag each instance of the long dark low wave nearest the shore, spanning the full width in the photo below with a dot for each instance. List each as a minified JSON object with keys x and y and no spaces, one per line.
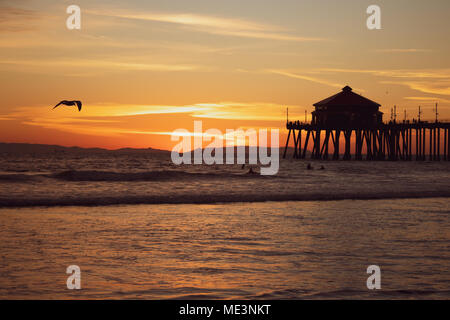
{"x":211,"y":198}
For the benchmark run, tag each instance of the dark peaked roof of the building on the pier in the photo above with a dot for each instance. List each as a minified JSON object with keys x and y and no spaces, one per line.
{"x":347,"y":98}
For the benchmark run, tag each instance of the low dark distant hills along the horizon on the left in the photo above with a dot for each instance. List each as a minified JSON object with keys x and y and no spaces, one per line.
{"x":28,"y":148}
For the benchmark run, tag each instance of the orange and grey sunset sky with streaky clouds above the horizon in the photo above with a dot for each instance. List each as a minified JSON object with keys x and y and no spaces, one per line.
{"x":146,"y":68}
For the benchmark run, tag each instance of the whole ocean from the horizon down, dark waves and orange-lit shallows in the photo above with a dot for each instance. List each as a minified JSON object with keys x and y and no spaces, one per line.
{"x":140,"y":227}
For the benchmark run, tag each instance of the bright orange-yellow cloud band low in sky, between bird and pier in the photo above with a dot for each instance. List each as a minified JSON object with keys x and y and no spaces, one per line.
{"x":114,"y":119}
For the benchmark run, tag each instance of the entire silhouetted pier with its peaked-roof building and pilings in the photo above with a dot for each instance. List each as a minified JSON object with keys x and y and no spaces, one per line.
{"x":354,"y":123}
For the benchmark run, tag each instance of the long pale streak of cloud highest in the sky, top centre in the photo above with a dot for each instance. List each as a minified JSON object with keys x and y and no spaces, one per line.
{"x":214,"y":25}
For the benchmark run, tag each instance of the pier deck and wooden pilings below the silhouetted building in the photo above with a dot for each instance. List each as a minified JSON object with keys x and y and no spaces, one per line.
{"x":385,"y":141}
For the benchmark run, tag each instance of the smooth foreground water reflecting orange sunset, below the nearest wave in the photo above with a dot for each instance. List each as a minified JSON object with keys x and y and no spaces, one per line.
{"x":276,"y":250}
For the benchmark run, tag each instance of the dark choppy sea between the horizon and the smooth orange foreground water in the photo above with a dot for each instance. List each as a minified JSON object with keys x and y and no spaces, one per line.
{"x":121,"y":181}
